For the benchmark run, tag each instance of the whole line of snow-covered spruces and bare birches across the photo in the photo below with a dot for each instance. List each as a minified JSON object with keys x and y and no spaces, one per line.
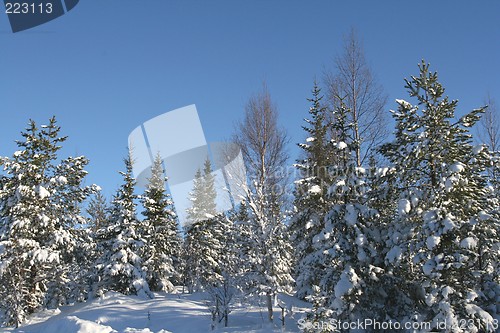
{"x":405,"y":230}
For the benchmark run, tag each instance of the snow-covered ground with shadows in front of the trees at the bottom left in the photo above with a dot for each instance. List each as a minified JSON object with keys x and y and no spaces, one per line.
{"x":165,"y":313}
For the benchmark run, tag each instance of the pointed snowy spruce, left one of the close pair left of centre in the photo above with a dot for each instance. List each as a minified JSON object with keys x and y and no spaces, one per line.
{"x":119,"y":265}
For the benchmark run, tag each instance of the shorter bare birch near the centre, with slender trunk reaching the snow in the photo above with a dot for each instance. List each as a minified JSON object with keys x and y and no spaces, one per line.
{"x":263,"y":146}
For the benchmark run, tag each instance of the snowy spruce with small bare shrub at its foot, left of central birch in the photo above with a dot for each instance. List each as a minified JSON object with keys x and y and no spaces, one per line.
{"x":211,"y":261}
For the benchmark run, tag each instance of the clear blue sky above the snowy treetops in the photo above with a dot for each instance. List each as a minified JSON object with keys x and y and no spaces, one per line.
{"x":107,"y":66}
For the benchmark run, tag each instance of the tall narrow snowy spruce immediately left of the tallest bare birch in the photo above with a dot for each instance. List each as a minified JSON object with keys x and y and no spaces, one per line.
{"x":311,"y":193}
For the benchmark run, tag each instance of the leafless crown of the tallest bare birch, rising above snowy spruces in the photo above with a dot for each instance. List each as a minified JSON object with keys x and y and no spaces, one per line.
{"x":353,"y":82}
